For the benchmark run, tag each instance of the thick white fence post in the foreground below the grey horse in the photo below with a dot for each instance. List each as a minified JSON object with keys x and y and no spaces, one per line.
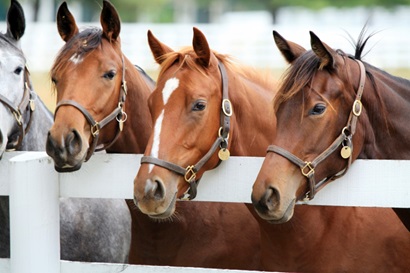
{"x":34,"y":214}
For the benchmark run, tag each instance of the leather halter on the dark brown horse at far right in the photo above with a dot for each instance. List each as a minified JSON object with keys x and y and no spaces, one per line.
{"x":344,"y":139}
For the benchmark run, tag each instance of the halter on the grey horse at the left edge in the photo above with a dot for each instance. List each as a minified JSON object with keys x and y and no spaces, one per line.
{"x":27,"y":104}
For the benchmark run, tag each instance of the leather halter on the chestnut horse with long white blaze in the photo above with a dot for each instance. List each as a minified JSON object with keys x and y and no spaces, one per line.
{"x":189,"y":173}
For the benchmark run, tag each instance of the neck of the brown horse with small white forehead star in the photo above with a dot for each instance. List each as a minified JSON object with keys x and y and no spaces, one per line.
{"x":137,"y":127}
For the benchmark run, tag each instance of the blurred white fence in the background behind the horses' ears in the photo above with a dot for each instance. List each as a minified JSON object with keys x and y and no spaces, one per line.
{"x":248,"y":43}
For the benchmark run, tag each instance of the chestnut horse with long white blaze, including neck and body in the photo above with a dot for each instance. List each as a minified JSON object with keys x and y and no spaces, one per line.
{"x":189,"y":96}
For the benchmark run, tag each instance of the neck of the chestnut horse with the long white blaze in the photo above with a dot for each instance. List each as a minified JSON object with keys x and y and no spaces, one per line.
{"x":253,"y":121}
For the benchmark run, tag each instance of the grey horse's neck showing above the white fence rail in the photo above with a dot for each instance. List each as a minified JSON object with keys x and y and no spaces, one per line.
{"x":41,"y":122}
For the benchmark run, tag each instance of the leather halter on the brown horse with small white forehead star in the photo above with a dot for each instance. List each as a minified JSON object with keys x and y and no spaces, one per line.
{"x":95,"y":126}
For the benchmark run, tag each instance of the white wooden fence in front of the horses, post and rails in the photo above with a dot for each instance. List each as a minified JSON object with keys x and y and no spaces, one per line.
{"x":34,"y":189}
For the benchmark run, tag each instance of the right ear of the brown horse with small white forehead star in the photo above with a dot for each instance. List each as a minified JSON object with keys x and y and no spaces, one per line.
{"x":110,"y":21}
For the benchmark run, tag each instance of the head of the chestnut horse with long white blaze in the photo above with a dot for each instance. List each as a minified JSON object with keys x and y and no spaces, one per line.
{"x":186,"y":110}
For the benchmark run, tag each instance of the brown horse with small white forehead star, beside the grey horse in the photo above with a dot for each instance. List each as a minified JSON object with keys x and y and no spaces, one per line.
{"x":89,"y":75}
